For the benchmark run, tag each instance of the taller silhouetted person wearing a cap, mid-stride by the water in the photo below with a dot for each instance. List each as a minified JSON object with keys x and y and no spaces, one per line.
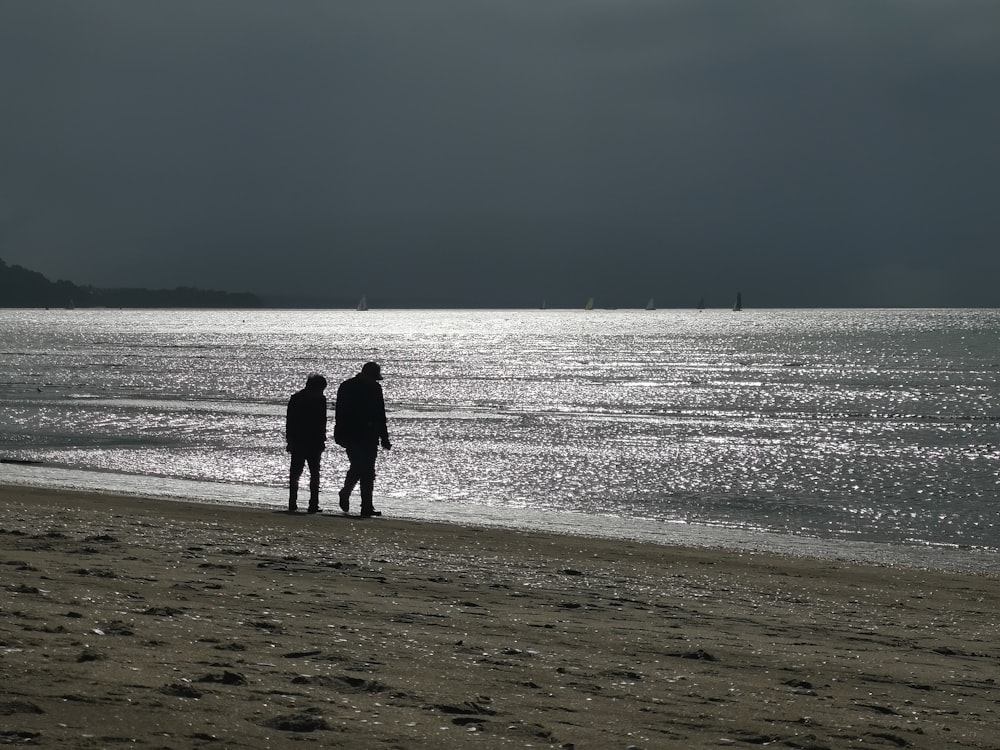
{"x":360,"y":427}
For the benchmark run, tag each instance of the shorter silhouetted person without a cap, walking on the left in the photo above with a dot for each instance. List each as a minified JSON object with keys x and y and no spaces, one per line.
{"x":305,"y":435}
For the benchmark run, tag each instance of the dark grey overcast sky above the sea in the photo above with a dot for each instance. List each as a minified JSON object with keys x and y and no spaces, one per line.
{"x":830,"y":152}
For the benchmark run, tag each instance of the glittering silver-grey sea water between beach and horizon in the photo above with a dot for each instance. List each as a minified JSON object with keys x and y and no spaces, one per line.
{"x":869,"y":434}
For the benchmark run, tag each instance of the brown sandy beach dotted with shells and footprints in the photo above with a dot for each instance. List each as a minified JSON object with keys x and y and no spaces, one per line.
{"x":159,"y":624}
